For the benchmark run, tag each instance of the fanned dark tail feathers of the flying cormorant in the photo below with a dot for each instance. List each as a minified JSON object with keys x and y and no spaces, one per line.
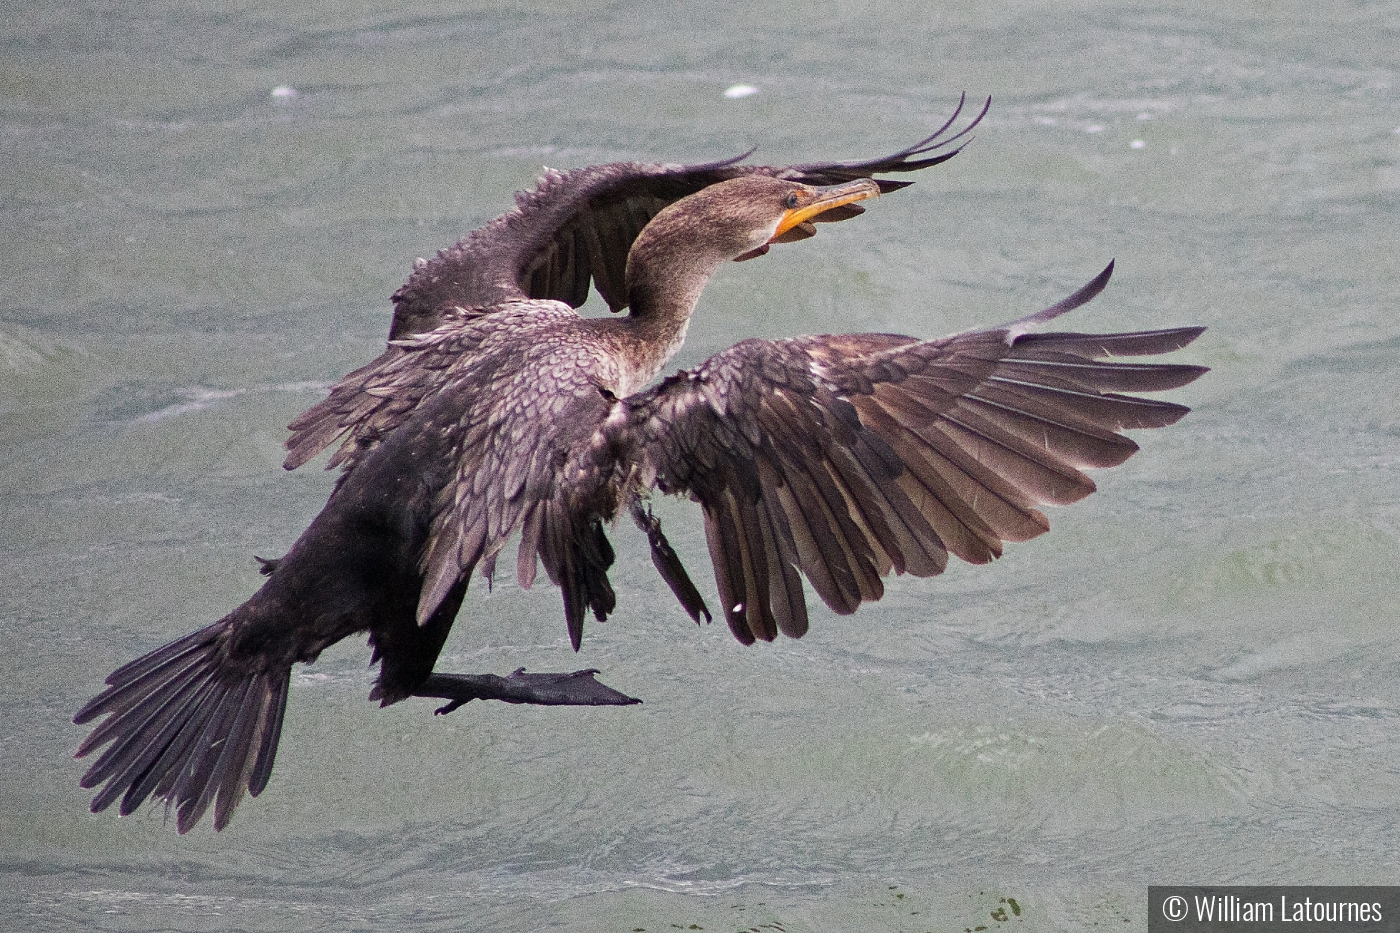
{"x":185,"y":726}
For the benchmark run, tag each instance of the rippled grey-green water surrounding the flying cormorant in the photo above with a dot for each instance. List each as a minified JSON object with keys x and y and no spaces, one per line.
{"x":1193,"y":677}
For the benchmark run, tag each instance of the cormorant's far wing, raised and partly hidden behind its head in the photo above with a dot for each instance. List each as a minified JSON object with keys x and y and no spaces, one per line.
{"x":576,"y":229}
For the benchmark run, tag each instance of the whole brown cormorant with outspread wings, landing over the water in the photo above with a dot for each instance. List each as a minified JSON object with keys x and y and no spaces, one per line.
{"x":499,"y":413}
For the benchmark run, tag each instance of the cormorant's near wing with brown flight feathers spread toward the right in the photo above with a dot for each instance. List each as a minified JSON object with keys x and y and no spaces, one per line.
{"x":848,"y":457}
